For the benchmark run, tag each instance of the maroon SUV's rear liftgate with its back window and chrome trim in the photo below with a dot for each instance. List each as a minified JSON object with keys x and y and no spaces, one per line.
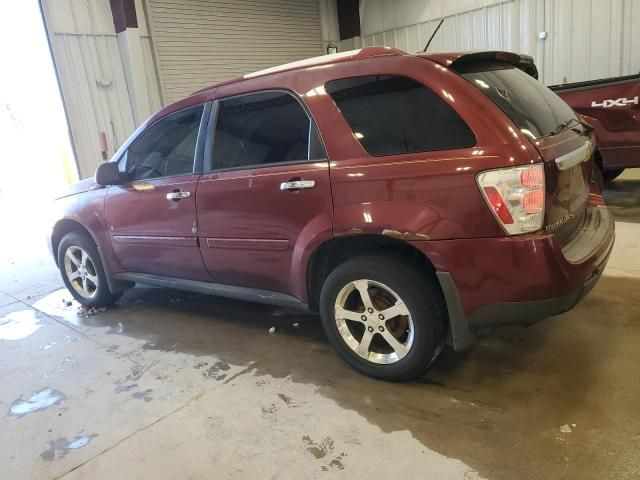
{"x":553,"y":127}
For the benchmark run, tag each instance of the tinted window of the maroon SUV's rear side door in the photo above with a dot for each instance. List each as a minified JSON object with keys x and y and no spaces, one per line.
{"x":263,"y":128}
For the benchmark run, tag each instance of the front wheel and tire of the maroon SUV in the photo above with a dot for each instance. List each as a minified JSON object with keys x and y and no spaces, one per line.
{"x":82,"y":271}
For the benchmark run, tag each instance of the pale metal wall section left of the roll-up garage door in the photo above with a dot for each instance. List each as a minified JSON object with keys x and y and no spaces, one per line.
{"x":92,"y":79}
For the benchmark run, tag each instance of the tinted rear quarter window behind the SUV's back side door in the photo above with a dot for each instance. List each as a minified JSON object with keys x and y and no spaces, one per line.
{"x":392,"y":115}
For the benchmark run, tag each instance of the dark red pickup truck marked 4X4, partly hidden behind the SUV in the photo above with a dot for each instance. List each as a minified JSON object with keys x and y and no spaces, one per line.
{"x":612,"y":107}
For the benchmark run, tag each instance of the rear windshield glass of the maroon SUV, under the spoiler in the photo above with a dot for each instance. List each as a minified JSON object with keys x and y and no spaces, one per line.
{"x":536,"y":110}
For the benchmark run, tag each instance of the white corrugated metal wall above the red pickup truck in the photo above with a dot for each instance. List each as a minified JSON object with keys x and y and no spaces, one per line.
{"x":587,"y":39}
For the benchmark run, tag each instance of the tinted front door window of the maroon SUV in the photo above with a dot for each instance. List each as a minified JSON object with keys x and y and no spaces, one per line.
{"x":166,"y":148}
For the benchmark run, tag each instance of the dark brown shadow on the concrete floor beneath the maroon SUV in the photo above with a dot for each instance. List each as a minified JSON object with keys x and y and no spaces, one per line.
{"x":510,"y":393}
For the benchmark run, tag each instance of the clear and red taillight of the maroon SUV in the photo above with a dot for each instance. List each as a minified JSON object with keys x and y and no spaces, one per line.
{"x":516,"y":196}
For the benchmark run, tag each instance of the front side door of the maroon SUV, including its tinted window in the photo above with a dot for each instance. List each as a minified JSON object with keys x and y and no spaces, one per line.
{"x":152,"y":218}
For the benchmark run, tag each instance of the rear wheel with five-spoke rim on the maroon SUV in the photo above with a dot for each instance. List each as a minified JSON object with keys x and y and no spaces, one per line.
{"x":418,"y":326}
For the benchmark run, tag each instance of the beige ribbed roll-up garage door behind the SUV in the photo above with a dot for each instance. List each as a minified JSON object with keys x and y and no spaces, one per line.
{"x":199,"y":42}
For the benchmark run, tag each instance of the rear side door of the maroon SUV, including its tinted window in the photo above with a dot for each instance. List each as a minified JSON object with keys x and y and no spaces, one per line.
{"x":265,"y":186}
